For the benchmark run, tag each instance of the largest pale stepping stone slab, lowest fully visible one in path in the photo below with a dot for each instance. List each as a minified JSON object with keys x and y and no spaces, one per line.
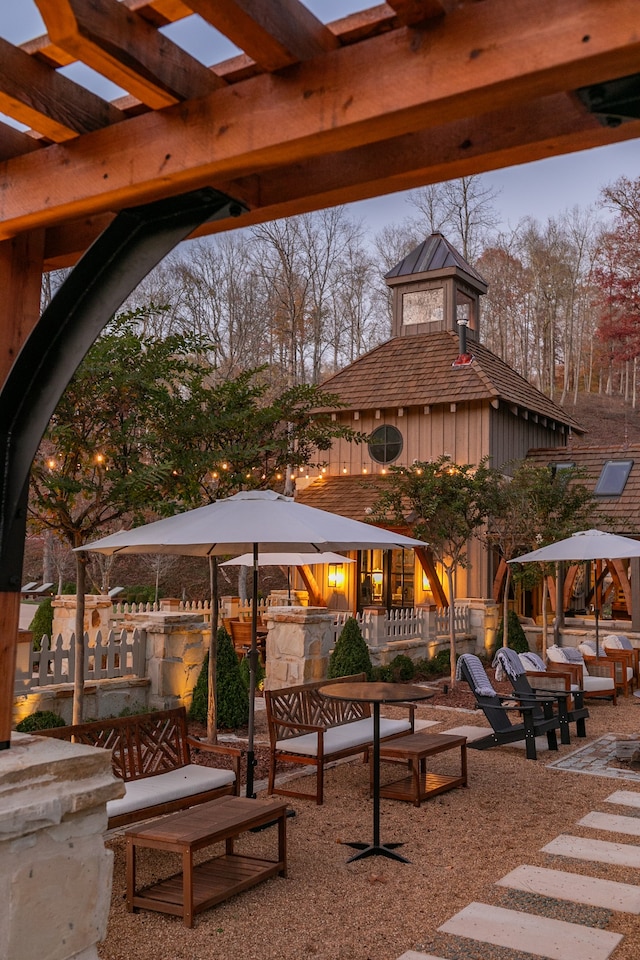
{"x":554,"y":939}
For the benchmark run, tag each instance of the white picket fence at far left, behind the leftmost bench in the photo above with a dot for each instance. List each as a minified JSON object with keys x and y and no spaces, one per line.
{"x":118,"y":655}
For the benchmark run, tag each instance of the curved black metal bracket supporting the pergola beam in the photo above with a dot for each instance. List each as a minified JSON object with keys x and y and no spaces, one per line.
{"x":134,"y":243}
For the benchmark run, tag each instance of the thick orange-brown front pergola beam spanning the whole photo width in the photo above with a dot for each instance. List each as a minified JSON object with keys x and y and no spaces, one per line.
{"x":473,"y":67}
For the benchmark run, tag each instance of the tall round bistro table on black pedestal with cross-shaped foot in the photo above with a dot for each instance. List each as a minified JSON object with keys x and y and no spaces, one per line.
{"x":376,"y":693}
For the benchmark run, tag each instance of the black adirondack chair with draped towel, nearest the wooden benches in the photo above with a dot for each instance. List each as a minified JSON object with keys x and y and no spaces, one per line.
{"x":497,"y":710}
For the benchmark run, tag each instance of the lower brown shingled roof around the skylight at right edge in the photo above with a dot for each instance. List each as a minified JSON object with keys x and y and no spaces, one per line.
{"x":625,"y":509}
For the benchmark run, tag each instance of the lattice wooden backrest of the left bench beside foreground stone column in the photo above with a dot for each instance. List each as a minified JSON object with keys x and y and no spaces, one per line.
{"x":142,"y":745}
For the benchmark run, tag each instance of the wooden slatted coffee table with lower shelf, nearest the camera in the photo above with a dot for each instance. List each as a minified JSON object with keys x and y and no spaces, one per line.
{"x":200,"y":887}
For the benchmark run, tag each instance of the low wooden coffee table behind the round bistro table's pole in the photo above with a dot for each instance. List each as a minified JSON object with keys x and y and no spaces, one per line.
{"x":414,"y":750}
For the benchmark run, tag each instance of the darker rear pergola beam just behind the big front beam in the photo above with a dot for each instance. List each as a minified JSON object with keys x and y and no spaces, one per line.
{"x":501,"y":139}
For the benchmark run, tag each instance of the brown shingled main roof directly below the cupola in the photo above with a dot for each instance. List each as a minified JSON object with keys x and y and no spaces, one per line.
{"x":417,"y":371}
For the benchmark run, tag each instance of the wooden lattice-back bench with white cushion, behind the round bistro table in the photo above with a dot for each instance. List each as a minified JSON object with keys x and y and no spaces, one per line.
{"x":307,"y":728}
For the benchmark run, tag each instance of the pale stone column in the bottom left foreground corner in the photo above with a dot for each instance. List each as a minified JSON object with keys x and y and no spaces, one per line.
{"x":55,"y":873}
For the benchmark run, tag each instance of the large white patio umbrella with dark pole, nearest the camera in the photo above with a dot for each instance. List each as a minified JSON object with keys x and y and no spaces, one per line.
{"x":255,"y":521}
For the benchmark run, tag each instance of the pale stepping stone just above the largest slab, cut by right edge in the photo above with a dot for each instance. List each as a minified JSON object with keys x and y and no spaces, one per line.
{"x":575,"y":888}
